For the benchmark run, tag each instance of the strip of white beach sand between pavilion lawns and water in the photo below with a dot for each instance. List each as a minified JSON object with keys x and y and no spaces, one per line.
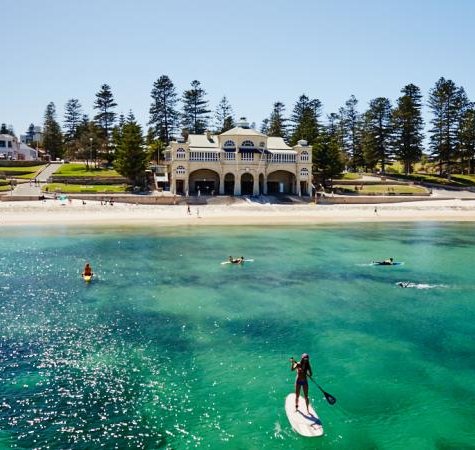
{"x":53,"y":212}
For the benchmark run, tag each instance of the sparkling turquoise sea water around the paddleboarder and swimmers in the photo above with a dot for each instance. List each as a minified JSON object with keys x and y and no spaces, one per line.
{"x":167,"y":348}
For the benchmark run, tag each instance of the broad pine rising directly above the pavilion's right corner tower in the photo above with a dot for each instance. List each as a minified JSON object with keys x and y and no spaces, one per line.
{"x":305,"y":120}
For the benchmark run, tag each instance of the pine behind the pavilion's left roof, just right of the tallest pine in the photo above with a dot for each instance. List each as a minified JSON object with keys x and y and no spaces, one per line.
{"x":195,"y":114}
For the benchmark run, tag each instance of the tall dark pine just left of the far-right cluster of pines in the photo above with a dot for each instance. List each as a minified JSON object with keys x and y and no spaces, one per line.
{"x":408,"y":127}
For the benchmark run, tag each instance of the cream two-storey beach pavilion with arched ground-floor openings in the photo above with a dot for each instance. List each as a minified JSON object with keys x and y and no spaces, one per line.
{"x":240,"y":161}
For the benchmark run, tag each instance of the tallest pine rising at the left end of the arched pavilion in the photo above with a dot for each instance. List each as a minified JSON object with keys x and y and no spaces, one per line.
{"x":164,"y":116}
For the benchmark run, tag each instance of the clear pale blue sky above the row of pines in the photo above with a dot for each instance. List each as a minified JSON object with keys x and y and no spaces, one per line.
{"x":254,"y":52}
